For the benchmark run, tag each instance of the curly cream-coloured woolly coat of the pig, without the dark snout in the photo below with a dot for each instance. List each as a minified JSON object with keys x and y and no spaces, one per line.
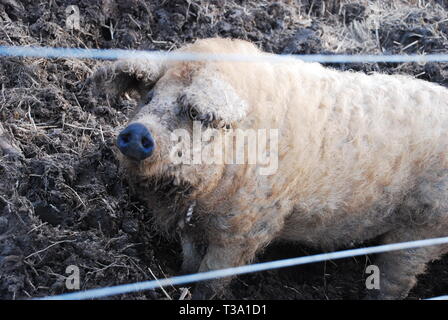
{"x":360,"y":156}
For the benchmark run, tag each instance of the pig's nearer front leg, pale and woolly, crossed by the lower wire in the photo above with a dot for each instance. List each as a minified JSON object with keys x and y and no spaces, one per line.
{"x":234,"y":247}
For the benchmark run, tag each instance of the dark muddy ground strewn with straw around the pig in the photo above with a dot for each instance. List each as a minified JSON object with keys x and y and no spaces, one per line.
{"x":65,"y":202}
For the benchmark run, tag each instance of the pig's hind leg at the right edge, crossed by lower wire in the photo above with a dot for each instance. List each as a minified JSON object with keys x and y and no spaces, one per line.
{"x":428,"y":208}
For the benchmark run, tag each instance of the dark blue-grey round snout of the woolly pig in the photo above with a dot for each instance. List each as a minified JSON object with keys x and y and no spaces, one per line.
{"x":136,"y":142}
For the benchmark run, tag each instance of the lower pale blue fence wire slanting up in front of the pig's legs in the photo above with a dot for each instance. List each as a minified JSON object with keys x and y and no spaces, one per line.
{"x":179,"y":280}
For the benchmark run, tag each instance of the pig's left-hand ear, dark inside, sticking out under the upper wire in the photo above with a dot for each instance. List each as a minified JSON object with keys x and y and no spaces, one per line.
{"x":127,"y":75}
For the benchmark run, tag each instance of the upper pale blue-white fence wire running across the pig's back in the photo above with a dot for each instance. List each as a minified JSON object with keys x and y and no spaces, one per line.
{"x":113,"y":54}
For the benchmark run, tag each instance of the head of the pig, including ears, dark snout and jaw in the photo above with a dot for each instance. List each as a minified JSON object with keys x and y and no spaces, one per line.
{"x":159,"y":146}
